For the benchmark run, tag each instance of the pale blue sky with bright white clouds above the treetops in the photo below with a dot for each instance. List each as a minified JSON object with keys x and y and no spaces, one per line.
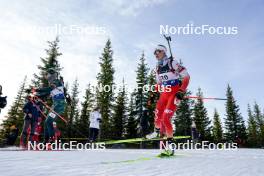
{"x":133,"y":26}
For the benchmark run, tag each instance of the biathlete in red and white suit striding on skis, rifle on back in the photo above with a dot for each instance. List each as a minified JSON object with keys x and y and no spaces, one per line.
{"x":172,"y":82}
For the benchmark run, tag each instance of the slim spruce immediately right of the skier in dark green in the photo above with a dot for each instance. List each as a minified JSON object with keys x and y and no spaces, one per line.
{"x":73,"y":111}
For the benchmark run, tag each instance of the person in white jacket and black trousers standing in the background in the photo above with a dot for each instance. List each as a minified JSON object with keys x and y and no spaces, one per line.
{"x":95,"y":120}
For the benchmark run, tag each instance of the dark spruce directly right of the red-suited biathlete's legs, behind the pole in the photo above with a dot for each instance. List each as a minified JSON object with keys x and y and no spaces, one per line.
{"x":183,"y":118}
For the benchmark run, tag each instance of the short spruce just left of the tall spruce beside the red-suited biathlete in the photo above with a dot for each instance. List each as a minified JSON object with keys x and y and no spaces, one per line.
{"x":132,"y":124}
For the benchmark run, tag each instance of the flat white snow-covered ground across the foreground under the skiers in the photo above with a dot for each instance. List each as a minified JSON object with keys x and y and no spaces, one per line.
{"x":126,"y":162}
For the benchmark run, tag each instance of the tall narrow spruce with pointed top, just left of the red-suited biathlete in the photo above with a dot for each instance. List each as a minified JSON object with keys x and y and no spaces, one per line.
{"x":141,"y":96}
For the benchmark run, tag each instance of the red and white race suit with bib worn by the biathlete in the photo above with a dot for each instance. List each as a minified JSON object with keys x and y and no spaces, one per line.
{"x":174,"y":75}
